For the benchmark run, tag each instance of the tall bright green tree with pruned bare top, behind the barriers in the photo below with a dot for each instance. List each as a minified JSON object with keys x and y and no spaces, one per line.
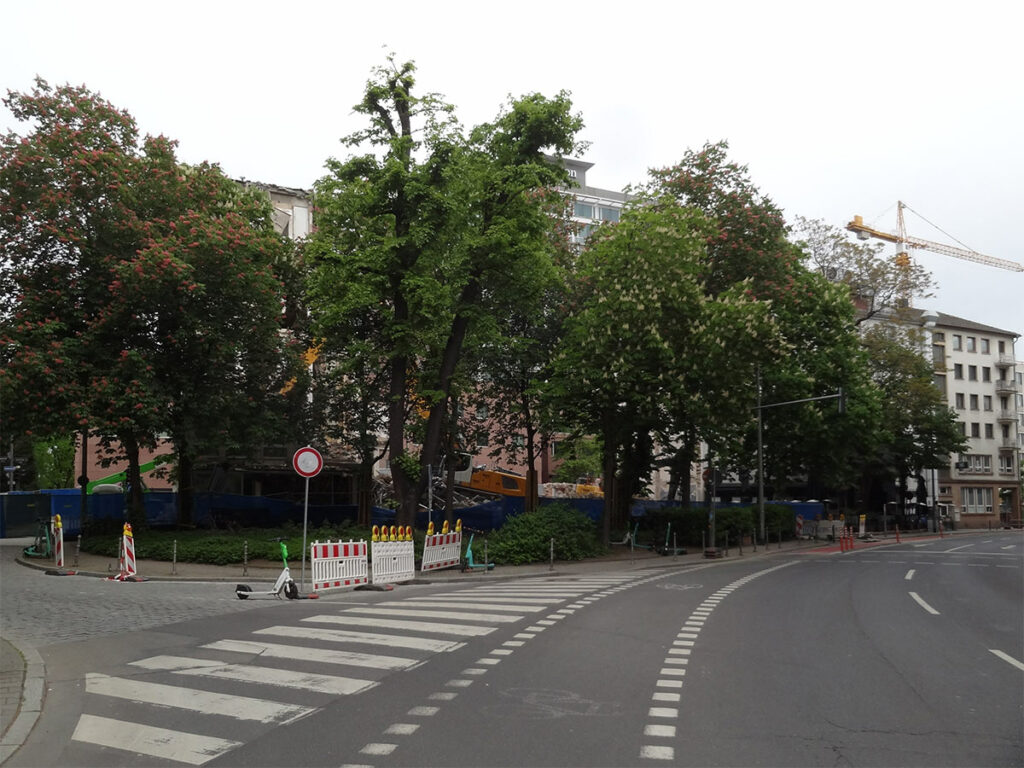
{"x":434,"y":235}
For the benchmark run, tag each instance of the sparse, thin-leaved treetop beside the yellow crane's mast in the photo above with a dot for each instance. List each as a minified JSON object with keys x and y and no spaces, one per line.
{"x":878,"y":285}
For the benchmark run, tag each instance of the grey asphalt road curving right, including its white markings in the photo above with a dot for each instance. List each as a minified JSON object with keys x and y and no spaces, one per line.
{"x":898,"y":656}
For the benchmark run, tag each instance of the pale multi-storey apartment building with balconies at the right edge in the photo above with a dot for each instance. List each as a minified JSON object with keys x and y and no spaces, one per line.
{"x":976,"y":369}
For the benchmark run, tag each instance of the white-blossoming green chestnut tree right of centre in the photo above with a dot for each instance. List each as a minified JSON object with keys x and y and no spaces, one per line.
{"x":647,"y":349}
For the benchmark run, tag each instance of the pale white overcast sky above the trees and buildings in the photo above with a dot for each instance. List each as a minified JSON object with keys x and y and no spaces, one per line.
{"x":837,"y":109}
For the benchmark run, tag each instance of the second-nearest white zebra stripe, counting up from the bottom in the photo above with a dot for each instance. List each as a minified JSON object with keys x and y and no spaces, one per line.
{"x":207,"y":703}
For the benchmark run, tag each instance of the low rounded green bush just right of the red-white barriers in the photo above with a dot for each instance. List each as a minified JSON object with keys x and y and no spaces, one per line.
{"x":527,"y":538}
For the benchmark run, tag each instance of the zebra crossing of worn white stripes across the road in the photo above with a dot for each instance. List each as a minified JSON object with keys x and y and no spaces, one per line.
{"x":181,"y":709}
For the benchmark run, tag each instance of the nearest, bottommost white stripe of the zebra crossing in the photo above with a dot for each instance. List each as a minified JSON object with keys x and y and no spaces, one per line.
{"x":146,"y":740}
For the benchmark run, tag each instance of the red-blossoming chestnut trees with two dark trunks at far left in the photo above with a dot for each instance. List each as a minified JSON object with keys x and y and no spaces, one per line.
{"x":147,"y":300}
